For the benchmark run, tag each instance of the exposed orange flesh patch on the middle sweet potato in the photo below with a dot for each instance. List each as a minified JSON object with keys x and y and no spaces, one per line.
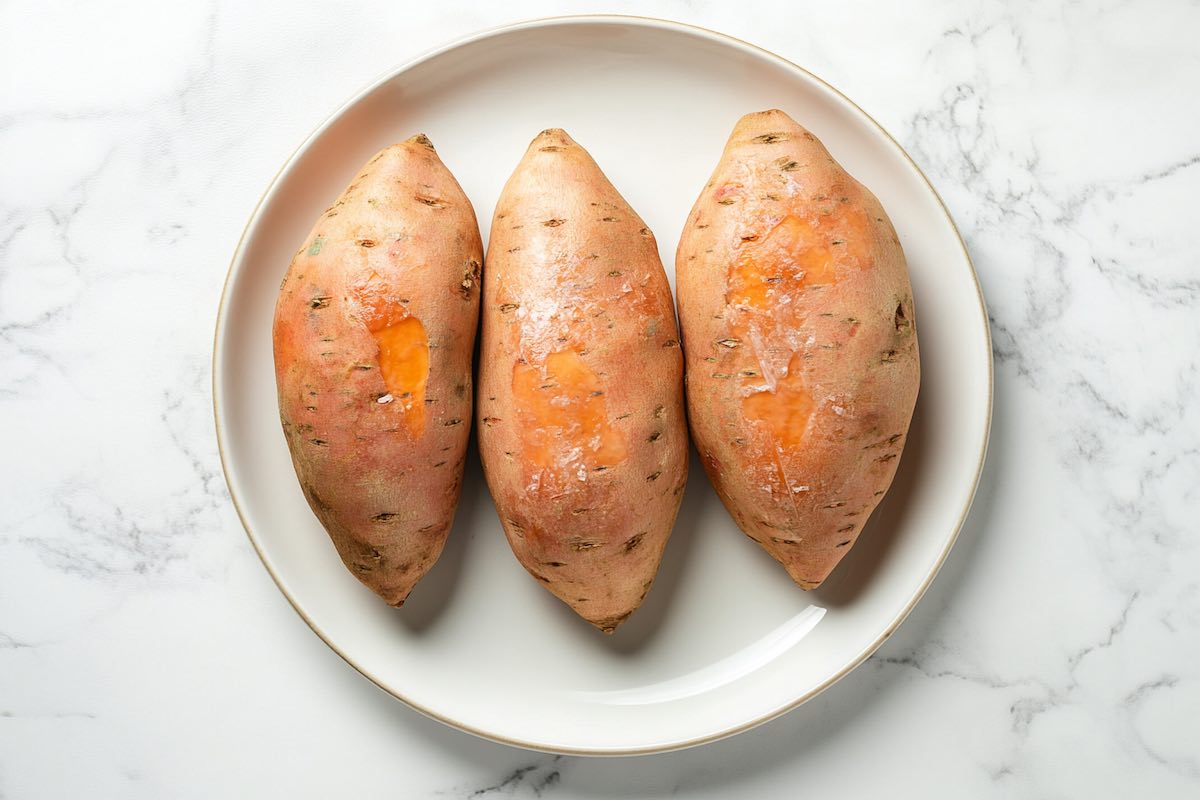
{"x":567,"y":432}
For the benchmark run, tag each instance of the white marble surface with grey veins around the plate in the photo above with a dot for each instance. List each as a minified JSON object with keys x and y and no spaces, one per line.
{"x":146,"y":653}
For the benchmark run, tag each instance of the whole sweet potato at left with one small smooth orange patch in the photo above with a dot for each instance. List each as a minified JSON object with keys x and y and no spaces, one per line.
{"x":374,"y":338}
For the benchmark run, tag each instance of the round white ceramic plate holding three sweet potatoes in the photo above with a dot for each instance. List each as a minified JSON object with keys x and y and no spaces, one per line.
{"x":724,"y":641}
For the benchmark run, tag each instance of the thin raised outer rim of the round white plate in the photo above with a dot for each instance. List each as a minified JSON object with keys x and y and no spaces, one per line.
{"x":548,"y":22}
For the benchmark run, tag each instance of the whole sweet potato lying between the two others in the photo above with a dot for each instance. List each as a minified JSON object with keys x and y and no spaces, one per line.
{"x":581,"y":420}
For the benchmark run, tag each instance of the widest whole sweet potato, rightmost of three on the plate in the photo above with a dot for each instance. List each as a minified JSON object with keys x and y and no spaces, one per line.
{"x":800,"y":340}
